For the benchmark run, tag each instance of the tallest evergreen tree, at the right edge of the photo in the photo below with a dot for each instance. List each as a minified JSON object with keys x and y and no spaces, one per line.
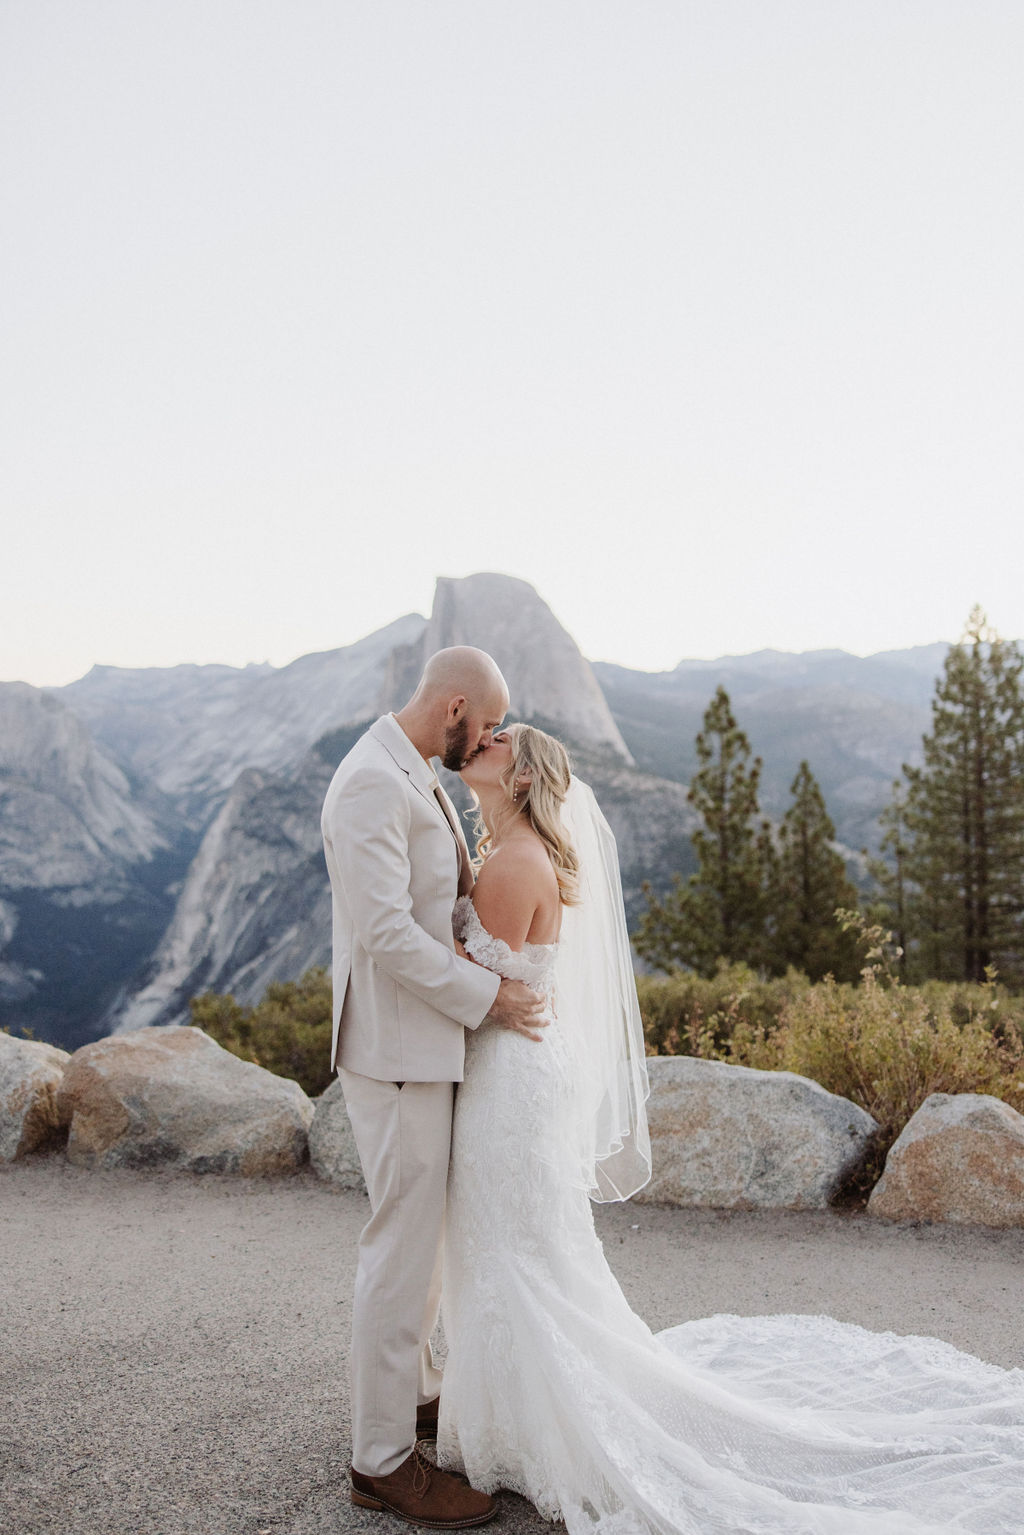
{"x":965,"y":817}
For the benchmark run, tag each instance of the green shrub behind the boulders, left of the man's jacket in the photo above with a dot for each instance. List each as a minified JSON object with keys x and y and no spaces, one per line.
{"x":286,"y":1034}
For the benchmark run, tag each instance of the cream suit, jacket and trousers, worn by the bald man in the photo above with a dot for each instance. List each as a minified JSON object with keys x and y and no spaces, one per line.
{"x":403,"y":997}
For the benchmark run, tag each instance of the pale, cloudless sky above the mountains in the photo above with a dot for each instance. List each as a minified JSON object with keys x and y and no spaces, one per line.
{"x":704,"y":317}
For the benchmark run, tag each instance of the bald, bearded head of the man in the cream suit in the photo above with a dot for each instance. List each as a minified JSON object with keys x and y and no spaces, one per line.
{"x":461,"y":699}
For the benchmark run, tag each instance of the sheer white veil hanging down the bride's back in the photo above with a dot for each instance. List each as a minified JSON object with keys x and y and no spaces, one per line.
{"x":596,"y":1005}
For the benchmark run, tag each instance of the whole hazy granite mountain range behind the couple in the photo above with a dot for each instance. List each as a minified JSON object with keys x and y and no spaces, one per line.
{"x":160,"y":828}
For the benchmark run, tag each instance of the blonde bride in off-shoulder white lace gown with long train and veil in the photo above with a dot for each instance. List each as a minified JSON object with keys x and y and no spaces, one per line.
{"x":784,"y":1425}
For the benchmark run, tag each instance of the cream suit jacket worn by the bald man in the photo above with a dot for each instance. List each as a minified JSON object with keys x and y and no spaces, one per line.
{"x":403,"y":997}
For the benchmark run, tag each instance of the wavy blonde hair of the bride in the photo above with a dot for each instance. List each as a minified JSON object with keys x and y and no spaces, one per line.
{"x":547,"y":764}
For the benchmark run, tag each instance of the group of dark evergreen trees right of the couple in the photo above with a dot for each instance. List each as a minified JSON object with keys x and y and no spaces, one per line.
{"x":948,"y":886}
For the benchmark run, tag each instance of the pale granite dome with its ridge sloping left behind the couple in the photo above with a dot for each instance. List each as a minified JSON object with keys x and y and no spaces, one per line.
{"x":193,"y":730}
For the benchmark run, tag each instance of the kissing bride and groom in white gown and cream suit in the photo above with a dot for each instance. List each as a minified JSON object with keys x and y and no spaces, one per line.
{"x":507,"y":974}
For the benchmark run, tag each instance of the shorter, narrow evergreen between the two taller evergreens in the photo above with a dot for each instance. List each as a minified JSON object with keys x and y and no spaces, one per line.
{"x":808,"y":885}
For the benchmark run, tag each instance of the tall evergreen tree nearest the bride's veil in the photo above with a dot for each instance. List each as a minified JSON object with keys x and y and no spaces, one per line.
{"x":721,"y":913}
